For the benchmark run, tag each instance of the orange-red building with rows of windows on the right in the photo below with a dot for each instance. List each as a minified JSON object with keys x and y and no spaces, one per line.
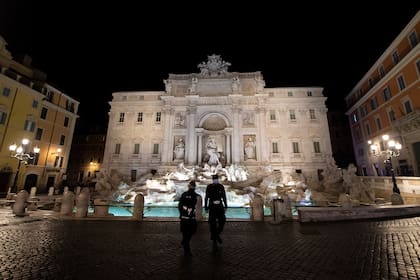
{"x":386,"y":101}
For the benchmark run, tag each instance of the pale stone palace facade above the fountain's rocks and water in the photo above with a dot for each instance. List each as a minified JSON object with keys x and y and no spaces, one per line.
{"x":218,"y":117}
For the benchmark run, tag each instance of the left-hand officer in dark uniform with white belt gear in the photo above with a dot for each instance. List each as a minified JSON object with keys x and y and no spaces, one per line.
{"x":186,"y":207}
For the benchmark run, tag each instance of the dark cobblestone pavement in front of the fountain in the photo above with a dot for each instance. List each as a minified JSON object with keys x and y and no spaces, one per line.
{"x":53,"y":248}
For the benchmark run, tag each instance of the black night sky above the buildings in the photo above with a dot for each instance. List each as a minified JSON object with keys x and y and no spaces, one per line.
{"x":91,"y":50}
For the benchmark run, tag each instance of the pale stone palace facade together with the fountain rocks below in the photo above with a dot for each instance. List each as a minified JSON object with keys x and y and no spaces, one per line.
{"x":268,"y":141}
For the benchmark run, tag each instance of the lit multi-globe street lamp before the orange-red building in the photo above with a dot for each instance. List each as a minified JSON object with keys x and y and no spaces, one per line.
{"x":392,"y":150}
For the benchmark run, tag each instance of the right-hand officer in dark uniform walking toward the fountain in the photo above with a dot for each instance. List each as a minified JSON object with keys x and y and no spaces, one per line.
{"x":216,"y":204}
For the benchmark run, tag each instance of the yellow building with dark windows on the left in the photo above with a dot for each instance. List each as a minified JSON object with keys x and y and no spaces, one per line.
{"x":32,"y":109}
